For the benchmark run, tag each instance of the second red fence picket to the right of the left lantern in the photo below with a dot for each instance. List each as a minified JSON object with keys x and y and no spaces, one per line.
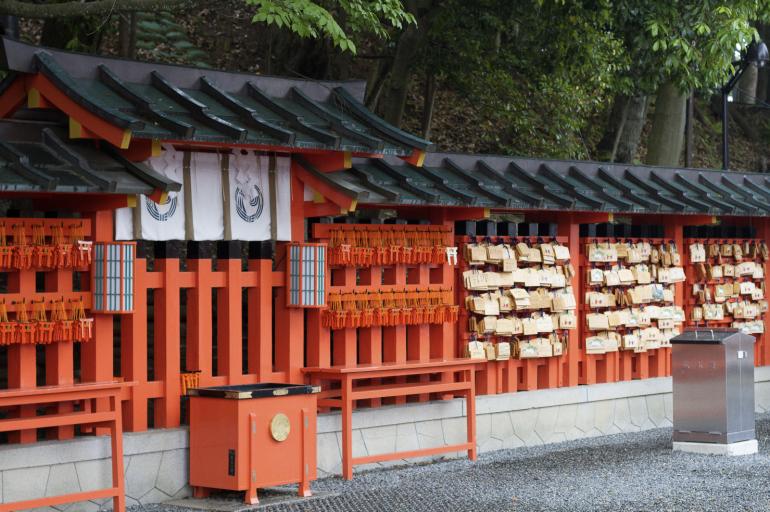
{"x":167,"y":344}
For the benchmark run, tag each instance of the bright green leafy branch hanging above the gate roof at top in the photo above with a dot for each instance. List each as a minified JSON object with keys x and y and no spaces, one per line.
{"x":307,"y":18}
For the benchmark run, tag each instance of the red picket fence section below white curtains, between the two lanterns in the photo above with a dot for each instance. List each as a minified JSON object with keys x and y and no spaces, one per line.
{"x":227,"y":281}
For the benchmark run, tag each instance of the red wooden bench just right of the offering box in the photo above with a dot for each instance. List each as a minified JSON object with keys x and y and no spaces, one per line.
{"x":458,"y":379}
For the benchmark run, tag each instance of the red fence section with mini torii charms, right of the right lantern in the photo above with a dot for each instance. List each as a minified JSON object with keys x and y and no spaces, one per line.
{"x":402,"y":339}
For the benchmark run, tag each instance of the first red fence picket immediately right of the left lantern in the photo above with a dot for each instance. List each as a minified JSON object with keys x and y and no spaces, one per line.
{"x":133,"y":347}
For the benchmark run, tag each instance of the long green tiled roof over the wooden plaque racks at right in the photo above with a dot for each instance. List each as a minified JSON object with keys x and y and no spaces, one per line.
{"x":502,"y":182}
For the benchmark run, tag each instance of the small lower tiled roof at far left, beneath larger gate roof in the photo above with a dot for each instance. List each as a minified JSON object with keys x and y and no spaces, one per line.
{"x":37,"y":157}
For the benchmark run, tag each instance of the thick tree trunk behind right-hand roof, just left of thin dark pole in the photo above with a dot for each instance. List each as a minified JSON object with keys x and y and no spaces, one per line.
{"x":664,"y":146}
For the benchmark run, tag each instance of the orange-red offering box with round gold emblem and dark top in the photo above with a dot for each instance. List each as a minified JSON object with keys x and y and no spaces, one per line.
{"x":253,"y":436}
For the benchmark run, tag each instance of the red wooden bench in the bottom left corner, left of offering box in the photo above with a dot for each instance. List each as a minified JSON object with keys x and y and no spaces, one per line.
{"x":84,"y":395}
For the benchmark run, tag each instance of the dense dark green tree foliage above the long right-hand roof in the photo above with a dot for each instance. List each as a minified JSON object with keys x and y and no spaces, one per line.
{"x":537,"y":71}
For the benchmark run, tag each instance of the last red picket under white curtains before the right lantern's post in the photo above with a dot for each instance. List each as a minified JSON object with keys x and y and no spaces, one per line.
{"x":260,"y":304}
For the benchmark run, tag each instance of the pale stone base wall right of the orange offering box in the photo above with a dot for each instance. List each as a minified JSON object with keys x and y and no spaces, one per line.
{"x":510,"y":420}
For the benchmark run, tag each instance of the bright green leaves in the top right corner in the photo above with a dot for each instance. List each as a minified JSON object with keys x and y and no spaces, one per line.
{"x":691,"y":43}
